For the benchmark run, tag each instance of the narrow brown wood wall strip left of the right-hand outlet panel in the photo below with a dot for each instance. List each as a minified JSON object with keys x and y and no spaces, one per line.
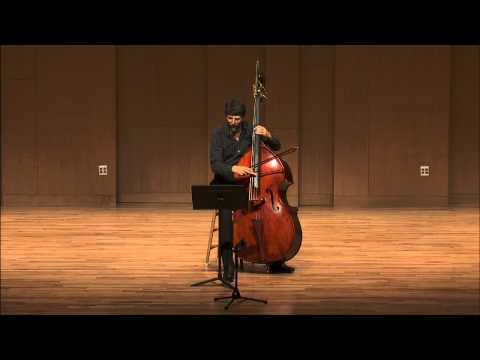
{"x":316,"y":125}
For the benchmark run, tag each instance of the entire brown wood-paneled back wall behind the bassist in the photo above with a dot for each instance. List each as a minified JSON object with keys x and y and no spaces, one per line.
{"x":365,"y":117}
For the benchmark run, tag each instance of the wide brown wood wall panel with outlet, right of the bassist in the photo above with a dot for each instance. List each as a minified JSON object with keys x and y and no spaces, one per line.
{"x":392,"y":112}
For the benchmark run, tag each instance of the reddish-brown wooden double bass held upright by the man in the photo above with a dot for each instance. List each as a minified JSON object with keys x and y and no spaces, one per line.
{"x":269,"y":230}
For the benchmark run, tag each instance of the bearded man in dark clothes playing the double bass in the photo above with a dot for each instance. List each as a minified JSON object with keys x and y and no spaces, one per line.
{"x":228,"y":144}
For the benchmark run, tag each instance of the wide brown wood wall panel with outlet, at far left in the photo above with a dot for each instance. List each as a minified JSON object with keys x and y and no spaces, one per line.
{"x":58,"y":125}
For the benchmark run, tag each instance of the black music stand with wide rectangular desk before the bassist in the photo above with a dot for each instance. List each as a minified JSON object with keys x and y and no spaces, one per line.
{"x":219,"y":197}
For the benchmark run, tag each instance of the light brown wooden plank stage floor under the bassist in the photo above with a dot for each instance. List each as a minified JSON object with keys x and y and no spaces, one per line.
{"x":142,"y":260}
